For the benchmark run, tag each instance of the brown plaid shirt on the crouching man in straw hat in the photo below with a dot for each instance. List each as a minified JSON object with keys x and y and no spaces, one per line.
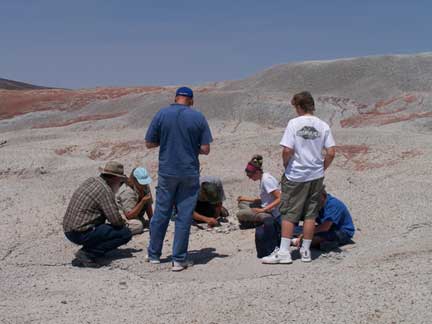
{"x":91,"y":204}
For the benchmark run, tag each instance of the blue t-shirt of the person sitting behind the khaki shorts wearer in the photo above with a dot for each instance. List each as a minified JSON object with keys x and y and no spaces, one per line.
{"x":336,"y":212}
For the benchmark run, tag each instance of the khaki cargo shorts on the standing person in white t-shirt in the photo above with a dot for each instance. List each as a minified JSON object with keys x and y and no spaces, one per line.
{"x":300,"y":200}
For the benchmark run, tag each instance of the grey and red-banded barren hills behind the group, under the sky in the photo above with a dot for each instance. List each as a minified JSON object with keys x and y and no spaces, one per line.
{"x":355,"y":92}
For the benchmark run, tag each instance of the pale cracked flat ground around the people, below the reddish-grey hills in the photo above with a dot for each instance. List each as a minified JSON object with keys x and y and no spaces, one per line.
{"x":382,"y":173}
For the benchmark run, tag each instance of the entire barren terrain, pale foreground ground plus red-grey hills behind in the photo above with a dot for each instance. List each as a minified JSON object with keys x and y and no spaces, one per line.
{"x":380,"y":111}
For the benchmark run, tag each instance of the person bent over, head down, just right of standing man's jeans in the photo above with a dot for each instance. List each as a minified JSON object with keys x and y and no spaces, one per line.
{"x":209,"y":208}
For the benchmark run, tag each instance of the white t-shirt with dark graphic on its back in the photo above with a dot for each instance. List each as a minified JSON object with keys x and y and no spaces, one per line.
{"x":307,"y":136}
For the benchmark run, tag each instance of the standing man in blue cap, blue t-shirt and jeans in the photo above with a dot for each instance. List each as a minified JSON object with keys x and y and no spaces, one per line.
{"x":182,"y":134}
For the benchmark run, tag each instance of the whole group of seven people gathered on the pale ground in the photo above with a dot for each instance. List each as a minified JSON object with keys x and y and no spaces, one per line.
{"x":105,"y":211}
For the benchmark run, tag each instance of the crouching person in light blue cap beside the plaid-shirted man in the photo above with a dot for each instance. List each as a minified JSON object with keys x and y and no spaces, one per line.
{"x":135,"y":200}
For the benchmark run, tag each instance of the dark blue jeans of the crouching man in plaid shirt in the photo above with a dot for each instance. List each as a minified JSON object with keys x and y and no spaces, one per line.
{"x":100,"y":239}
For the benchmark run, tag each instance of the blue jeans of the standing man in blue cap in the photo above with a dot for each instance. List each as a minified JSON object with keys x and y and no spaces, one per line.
{"x":183,"y":193}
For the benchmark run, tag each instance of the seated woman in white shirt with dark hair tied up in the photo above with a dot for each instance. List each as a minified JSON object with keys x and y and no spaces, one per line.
{"x":254,"y":210}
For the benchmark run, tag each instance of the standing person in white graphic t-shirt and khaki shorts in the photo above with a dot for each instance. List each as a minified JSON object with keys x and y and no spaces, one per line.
{"x":305,"y":139}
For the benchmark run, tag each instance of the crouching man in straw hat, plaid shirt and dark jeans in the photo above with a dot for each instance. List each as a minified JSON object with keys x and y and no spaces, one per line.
{"x":92,"y":205}
